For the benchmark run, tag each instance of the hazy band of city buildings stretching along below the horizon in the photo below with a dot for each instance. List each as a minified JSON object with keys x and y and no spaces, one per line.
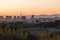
{"x":31,"y":19}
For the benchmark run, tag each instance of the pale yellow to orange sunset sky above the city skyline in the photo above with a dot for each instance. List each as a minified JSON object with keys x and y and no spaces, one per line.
{"x":29,"y":7}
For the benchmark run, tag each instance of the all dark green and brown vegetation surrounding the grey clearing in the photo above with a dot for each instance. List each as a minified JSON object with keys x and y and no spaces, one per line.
{"x":15,"y":31}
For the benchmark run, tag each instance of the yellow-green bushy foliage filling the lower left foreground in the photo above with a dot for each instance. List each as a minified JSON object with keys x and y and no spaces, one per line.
{"x":11,"y":31}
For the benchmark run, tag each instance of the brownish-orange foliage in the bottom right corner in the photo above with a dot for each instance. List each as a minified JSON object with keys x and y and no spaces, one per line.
{"x":49,"y":36}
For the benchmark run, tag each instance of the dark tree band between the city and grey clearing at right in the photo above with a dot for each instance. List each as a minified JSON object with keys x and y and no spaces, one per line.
{"x":52,"y":24}
